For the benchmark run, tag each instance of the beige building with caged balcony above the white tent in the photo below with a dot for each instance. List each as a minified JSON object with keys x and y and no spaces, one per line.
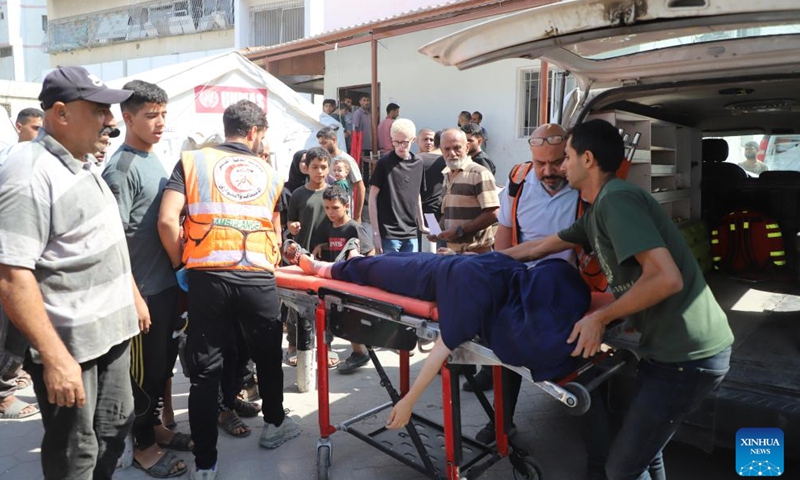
{"x":118,"y":38}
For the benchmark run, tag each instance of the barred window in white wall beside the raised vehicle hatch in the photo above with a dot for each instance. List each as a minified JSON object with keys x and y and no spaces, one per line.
{"x":559,"y":83}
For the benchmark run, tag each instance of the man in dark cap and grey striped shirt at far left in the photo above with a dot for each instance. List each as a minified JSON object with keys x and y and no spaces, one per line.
{"x":65,"y":278}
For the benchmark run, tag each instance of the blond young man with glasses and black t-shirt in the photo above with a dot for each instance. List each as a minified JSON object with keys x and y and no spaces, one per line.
{"x":395,"y":207}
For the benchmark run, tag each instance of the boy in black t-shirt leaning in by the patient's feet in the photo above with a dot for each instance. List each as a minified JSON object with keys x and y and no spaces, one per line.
{"x":342,"y":233}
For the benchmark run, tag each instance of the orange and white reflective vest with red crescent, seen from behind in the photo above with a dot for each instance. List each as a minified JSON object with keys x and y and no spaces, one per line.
{"x":230,"y":199}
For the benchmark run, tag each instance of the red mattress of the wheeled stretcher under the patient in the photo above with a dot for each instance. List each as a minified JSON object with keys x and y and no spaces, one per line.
{"x":294,"y":279}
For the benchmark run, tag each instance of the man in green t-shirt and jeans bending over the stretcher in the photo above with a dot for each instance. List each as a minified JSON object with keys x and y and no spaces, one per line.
{"x":686,"y":339}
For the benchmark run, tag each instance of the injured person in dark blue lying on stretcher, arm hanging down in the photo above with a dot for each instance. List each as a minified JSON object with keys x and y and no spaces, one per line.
{"x":524,"y":314}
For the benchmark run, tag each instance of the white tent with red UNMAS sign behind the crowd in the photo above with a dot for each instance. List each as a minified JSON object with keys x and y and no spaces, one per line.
{"x":200,"y":90}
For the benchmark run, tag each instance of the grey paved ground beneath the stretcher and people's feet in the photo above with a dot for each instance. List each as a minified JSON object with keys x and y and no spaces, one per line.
{"x":546,"y":430}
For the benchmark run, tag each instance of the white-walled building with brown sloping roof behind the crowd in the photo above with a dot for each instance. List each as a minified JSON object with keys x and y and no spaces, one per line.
{"x":373,"y":47}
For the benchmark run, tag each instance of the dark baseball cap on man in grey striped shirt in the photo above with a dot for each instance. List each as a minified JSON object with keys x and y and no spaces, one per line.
{"x":67,"y":84}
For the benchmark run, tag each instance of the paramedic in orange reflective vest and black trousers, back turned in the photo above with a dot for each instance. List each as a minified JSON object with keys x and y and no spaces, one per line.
{"x":228,"y":253}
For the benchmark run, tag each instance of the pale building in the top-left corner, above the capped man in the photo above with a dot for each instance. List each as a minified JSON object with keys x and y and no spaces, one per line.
{"x":22,"y":31}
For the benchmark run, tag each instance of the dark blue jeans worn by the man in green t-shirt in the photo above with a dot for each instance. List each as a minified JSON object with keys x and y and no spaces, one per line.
{"x":668,"y":393}
